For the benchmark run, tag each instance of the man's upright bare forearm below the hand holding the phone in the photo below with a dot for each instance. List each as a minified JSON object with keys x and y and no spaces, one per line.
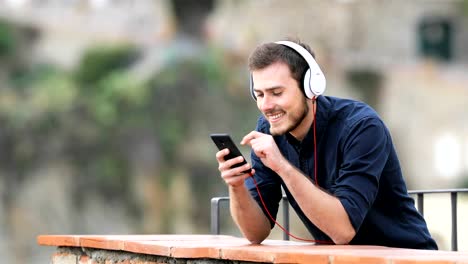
{"x":248,"y":216}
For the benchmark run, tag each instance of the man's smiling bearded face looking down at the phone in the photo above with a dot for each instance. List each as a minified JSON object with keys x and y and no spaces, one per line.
{"x":279,"y":98}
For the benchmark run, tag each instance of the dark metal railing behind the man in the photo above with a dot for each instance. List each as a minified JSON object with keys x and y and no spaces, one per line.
{"x":216,"y":201}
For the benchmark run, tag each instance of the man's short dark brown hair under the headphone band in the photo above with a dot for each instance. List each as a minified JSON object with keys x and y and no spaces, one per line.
{"x":269,"y":53}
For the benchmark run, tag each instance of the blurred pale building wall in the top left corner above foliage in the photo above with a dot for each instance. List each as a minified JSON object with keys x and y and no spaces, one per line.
{"x":67,"y":27}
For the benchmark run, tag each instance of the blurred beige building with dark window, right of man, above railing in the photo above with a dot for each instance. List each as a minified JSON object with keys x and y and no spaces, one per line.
{"x":408,"y":59}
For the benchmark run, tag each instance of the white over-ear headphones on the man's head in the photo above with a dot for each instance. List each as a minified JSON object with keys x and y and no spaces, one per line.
{"x":314,"y":80}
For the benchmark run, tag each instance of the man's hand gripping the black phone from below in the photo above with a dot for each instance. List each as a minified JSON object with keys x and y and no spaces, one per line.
{"x":233,"y":176}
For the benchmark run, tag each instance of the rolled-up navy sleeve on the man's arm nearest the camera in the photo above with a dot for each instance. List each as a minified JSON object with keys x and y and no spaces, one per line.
{"x":365,"y":151}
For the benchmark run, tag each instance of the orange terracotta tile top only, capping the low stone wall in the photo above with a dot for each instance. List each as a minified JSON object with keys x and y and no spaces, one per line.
{"x":233,"y":248}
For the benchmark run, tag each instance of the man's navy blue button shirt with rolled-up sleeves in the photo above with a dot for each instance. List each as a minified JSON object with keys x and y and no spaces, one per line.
{"x":357,"y":163}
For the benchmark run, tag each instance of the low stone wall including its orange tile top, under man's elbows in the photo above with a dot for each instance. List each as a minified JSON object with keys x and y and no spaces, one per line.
{"x":192,"y":249}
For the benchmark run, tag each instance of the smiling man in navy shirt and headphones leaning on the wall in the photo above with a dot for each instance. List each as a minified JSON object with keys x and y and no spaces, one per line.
{"x":333,"y":157}
